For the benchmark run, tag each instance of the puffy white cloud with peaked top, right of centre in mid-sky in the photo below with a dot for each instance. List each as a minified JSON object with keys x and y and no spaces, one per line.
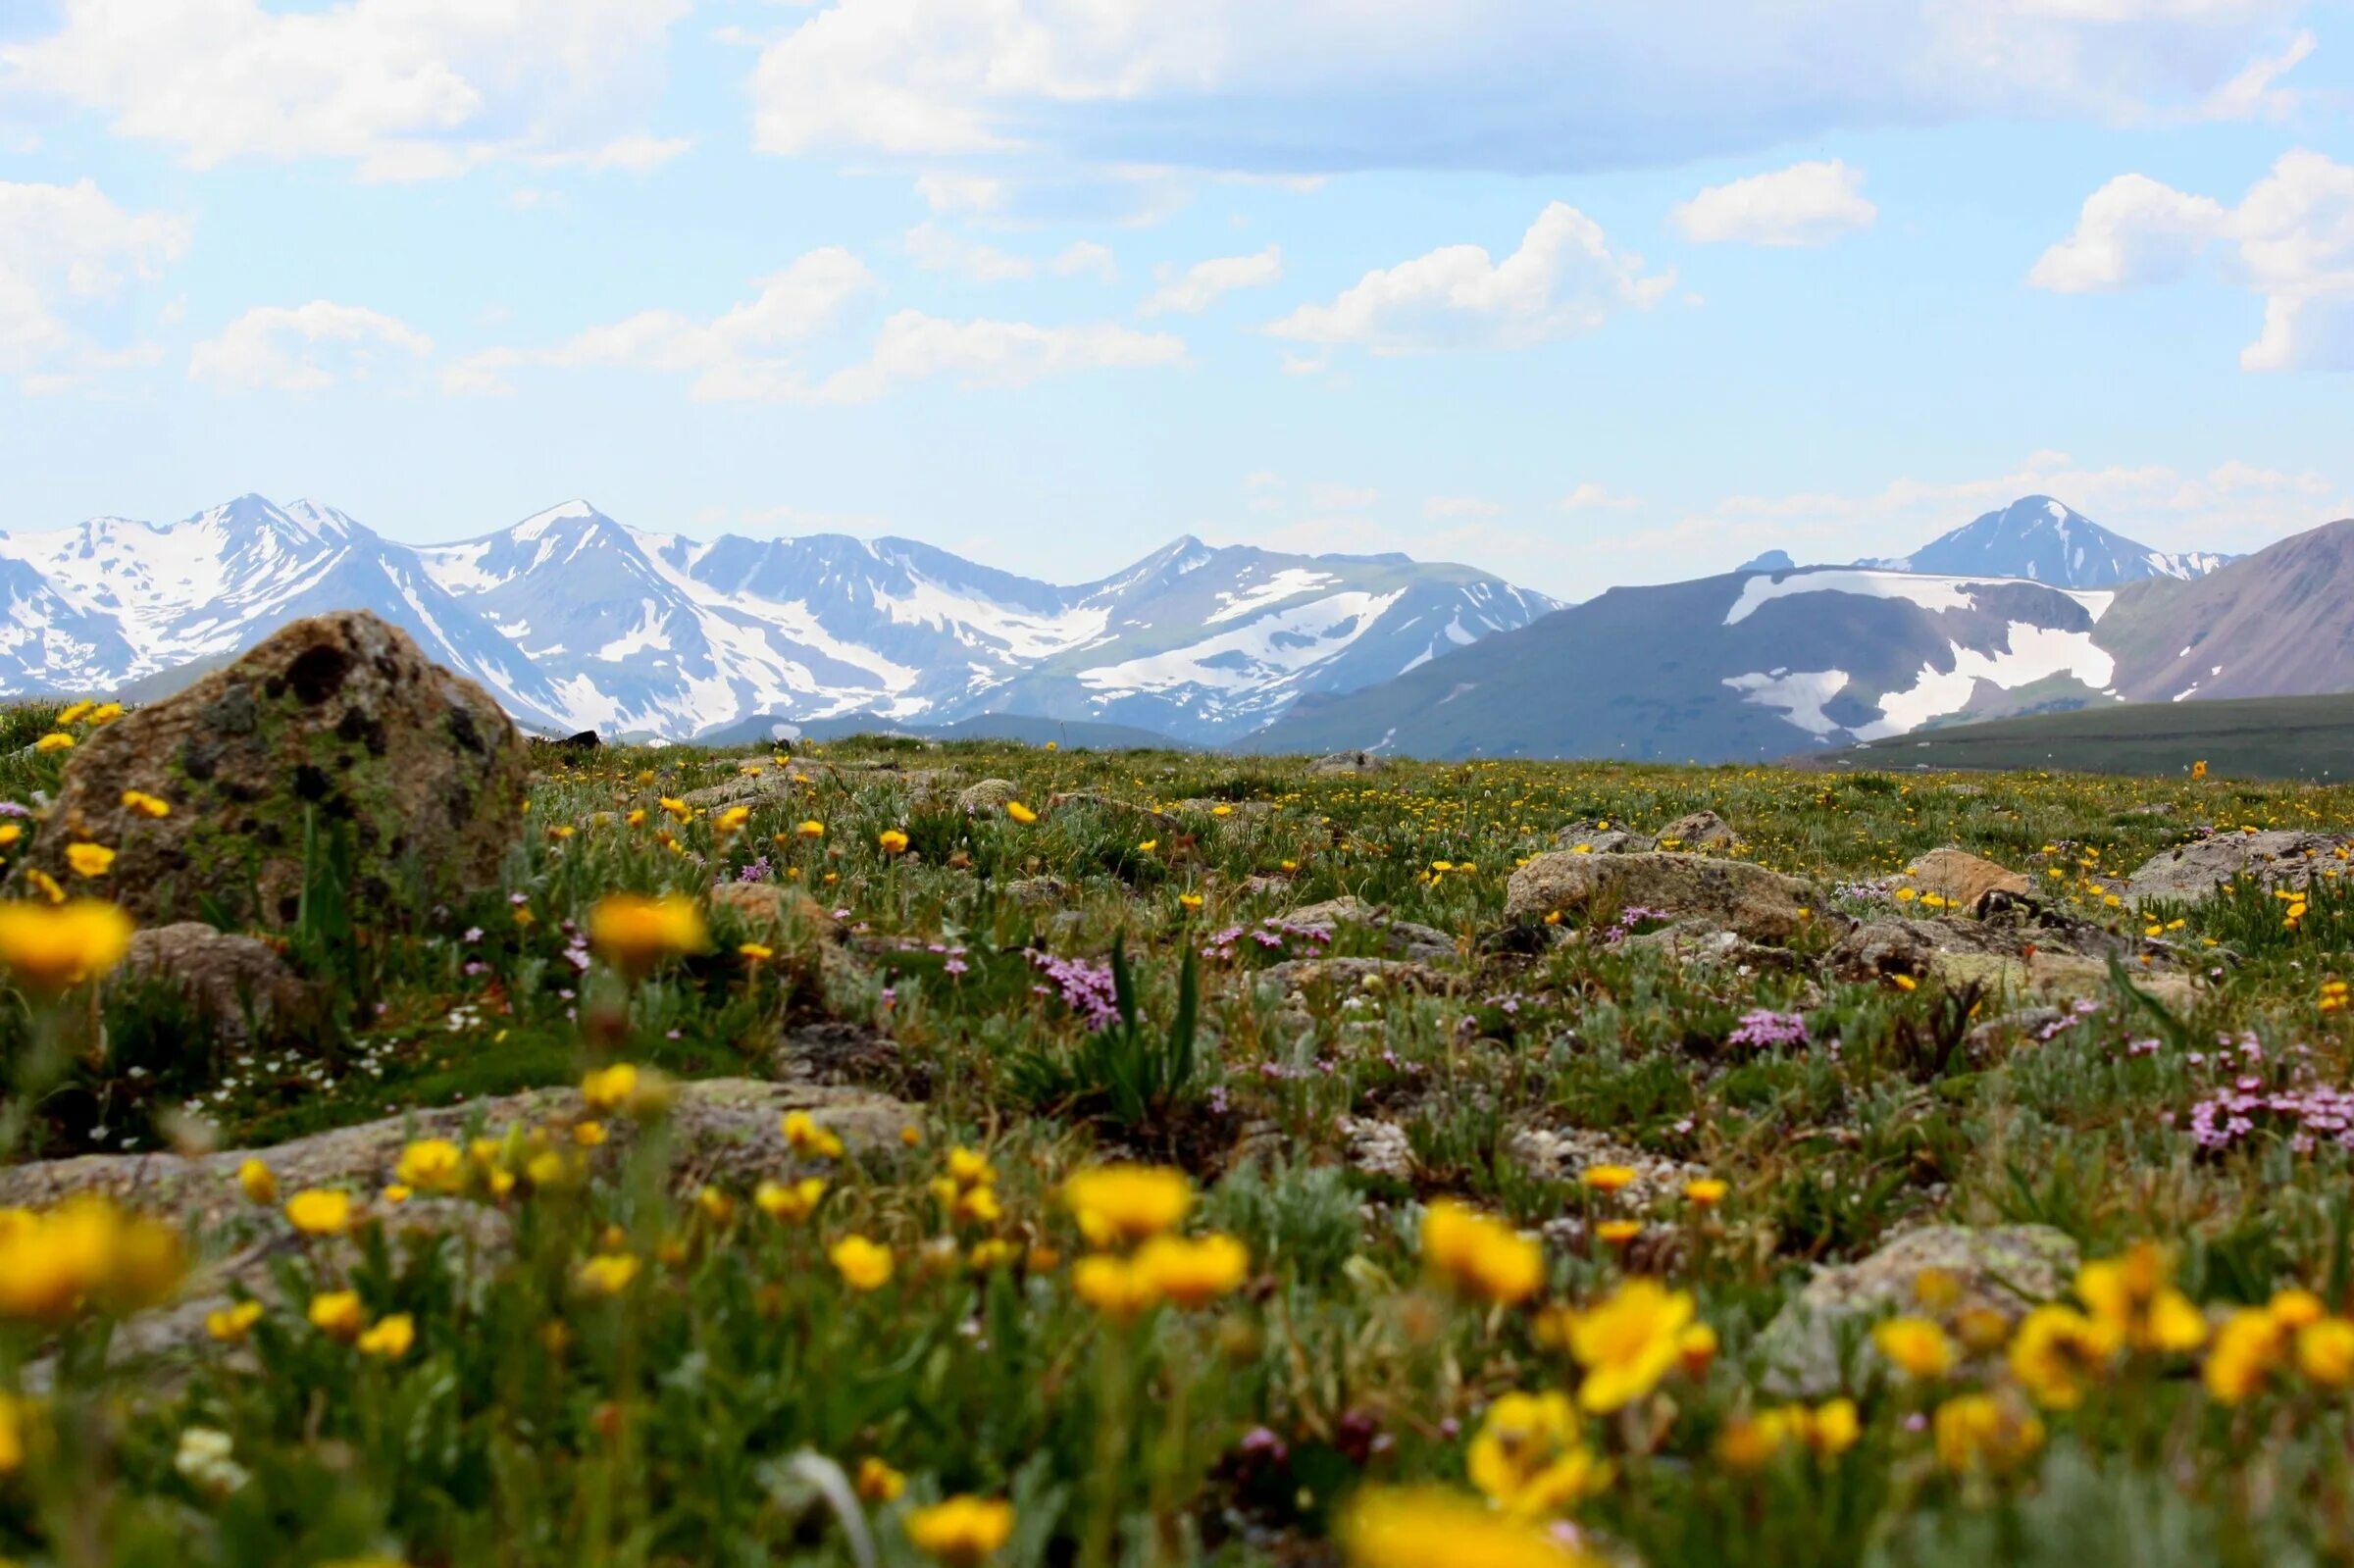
{"x":1562,"y":281}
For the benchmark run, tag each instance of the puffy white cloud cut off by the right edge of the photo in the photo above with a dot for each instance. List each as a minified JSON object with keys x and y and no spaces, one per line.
{"x":2292,"y":239}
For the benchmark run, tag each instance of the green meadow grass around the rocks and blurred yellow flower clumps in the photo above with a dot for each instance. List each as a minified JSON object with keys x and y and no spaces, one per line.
{"x":691,"y":1418}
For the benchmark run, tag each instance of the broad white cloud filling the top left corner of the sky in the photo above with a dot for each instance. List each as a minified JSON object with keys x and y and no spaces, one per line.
{"x":401,"y":88}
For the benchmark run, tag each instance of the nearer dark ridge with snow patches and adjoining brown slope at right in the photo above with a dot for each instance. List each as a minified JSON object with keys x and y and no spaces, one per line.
{"x":1769,"y":663}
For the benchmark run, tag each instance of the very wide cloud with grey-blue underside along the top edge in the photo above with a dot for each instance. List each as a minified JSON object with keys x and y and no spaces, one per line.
{"x":1517,"y":86}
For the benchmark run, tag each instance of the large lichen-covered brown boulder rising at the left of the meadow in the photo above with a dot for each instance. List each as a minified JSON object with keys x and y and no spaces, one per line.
{"x":335,"y":726}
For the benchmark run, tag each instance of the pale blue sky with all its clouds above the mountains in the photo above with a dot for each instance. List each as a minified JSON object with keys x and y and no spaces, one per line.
{"x":1576,"y":291}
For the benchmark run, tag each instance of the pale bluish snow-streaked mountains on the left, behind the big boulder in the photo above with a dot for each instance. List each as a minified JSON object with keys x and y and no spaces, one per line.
{"x":578,"y":623}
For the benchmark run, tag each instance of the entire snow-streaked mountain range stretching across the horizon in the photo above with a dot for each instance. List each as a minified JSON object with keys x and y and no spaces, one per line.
{"x":580,"y":623}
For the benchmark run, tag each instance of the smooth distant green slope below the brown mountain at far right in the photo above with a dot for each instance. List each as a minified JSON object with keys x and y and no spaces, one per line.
{"x":2249,"y":738}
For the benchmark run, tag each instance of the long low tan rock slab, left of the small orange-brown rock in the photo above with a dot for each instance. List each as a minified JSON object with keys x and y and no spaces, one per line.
{"x":1724,"y":893}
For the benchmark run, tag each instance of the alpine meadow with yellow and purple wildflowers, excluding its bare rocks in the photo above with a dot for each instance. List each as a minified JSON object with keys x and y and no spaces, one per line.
{"x":1192,"y":1258}
